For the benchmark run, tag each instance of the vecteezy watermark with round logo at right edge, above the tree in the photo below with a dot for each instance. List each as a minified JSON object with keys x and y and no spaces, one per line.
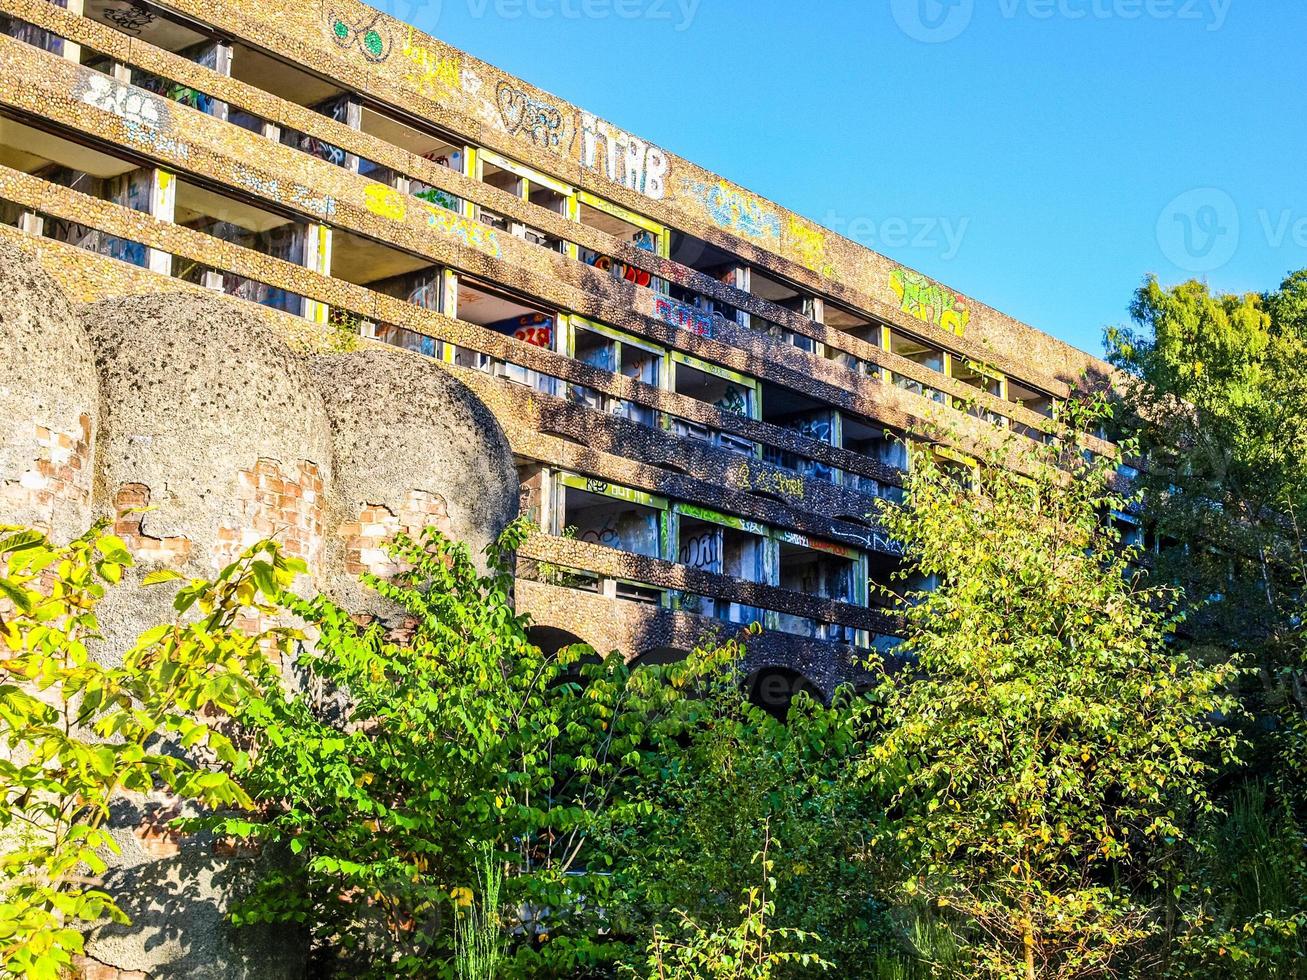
{"x":1202,"y":231}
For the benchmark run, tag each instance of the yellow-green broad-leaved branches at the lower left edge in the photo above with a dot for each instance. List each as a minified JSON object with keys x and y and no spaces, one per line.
{"x":76,"y":731}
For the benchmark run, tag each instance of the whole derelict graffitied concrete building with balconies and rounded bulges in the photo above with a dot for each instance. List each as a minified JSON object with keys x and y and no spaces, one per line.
{"x":303,"y":270}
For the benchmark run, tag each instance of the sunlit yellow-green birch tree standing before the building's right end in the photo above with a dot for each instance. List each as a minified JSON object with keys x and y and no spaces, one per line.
{"x":1046,"y":748}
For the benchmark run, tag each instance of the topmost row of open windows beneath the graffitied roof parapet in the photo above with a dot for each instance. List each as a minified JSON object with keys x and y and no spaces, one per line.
{"x":287,"y":82}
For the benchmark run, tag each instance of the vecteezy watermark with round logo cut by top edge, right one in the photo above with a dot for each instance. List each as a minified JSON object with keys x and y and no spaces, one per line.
{"x":936,"y":22}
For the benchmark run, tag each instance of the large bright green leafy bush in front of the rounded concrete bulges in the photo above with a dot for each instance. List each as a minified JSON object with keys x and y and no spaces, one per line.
{"x":406,"y":753}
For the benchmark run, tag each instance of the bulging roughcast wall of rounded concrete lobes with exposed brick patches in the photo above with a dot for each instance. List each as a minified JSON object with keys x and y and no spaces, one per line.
{"x":218,"y":434}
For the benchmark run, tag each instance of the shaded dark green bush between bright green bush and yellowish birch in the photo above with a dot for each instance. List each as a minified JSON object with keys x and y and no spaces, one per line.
{"x":721,"y":781}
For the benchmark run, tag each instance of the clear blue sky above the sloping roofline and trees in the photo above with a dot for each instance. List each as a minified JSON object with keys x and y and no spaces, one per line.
{"x":1075,"y":144}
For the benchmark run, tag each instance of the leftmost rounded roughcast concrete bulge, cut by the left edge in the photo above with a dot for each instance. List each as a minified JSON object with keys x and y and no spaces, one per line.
{"x":49,"y":402}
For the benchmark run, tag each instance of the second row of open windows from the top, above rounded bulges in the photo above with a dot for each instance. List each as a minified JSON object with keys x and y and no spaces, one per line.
{"x":415,"y":280}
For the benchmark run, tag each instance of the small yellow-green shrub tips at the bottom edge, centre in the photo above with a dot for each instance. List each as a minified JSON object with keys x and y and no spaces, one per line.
{"x":747,"y":951}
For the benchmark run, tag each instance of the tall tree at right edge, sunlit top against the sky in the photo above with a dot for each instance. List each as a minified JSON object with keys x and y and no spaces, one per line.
{"x":1215,"y":387}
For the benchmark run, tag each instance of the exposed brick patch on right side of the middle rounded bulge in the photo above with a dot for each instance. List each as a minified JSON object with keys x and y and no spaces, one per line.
{"x":276,"y":504}
